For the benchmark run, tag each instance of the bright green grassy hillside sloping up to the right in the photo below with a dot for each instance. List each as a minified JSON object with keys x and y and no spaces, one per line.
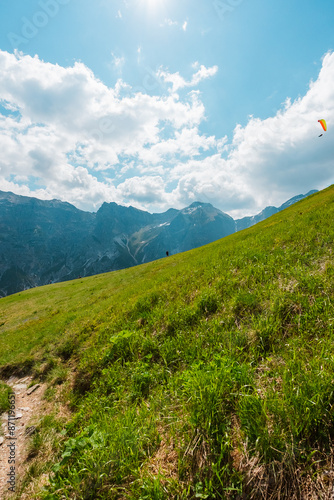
{"x":208,"y":374}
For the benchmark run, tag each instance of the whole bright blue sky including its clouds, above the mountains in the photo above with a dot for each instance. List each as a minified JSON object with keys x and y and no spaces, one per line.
{"x":160,"y":103}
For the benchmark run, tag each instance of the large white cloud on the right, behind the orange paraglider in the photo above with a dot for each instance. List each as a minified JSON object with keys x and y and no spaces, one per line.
{"x":269,"y":160}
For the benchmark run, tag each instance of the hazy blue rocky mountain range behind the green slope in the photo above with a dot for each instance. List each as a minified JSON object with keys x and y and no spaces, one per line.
{"x":48,"y":241}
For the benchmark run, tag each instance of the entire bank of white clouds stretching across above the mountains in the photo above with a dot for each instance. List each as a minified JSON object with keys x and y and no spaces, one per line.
{"x":64,"y":134}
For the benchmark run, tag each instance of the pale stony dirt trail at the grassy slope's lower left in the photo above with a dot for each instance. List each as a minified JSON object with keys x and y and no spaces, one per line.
{"x":17,"y":433}
